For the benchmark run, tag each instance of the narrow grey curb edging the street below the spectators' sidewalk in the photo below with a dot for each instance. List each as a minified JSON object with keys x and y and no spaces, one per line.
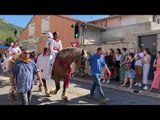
{"x":141,"y":92}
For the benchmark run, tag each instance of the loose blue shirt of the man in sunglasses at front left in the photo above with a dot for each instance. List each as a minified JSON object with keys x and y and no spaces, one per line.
{"x":24,"y":75}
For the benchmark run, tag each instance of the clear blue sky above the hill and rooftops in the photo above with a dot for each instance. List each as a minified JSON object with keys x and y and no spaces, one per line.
{"x":22,"y":20}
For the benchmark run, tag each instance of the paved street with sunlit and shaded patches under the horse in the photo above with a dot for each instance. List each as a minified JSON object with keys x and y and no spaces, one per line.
{"x":78,"y":94}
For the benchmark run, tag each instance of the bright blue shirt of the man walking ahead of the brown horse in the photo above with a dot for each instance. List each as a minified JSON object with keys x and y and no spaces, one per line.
{"x":96,"y":64}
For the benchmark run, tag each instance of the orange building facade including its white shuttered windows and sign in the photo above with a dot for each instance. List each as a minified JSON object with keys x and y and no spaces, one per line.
{"x":33,"y":35}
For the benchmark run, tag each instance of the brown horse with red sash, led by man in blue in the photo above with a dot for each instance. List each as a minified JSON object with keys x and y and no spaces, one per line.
{"x":62,"y":69}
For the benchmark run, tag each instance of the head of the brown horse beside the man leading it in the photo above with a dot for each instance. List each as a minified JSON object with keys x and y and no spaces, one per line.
{"x":82,"y":59}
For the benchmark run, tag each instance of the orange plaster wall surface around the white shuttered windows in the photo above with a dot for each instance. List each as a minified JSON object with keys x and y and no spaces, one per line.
{"x":57,"y":23}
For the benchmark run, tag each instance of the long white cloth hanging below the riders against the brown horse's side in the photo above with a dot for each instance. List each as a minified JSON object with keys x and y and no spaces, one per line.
{"x":45,"y":66}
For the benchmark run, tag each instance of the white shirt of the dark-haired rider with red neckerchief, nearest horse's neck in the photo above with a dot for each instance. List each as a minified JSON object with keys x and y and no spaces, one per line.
{"x":57,"y":44}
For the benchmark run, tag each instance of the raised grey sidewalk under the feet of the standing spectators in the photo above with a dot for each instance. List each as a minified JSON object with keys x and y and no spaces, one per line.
{"x":116,"y":85}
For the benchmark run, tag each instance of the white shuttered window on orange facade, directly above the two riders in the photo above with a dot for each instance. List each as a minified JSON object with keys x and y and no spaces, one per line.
{"x":45,"y":25}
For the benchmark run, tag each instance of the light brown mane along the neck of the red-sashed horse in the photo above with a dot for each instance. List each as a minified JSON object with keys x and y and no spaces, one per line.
{"x":69,"y":52}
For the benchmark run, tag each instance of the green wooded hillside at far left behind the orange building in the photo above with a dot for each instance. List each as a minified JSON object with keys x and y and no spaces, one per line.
{"x":7,"y":31}
